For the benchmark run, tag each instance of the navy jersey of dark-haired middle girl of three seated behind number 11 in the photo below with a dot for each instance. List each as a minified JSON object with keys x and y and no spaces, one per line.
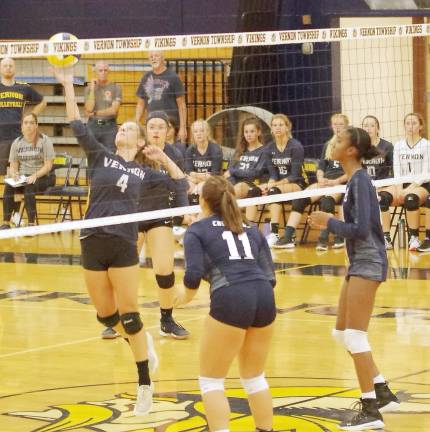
{"x":250,"y":166}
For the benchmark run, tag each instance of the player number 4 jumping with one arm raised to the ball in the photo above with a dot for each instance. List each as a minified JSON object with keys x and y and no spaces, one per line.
{"x":109,"y":253}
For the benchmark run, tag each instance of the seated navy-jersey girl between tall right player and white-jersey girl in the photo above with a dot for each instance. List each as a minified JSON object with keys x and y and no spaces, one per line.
{"x":378,"y":168}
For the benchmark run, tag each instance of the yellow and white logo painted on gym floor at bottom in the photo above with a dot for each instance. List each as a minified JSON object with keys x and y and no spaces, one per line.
{"x":296,"y":408}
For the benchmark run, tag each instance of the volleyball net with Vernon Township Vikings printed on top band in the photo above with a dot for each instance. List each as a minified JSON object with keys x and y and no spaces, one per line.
{"x":306,"y":74}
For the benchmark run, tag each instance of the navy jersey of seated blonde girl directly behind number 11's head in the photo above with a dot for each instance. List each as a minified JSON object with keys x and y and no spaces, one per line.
{"x":210,"y":161}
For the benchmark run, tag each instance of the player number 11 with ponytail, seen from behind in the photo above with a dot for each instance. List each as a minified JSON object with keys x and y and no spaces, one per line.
{"x":236,"y":261}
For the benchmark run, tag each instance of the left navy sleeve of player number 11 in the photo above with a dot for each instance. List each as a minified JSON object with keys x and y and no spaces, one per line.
{"x":194,"y":261}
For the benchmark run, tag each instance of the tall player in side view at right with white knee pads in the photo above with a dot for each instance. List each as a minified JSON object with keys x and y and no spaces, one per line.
{"x":368,"y":268}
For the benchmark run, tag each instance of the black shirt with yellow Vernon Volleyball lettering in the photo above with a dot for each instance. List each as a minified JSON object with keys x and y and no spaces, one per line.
{"x":12,"y":102}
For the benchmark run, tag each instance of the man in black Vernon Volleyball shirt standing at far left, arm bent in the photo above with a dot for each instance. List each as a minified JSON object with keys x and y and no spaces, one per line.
{"x":14,"y":96}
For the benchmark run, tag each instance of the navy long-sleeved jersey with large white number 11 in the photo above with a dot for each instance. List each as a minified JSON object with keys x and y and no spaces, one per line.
{"x":224,"y":259}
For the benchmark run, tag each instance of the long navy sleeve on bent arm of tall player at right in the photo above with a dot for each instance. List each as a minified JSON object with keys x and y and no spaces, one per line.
{"x":361,"y":190}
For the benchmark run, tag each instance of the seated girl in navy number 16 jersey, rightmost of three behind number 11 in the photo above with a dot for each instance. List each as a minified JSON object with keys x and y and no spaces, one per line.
{"x":285,"y":156}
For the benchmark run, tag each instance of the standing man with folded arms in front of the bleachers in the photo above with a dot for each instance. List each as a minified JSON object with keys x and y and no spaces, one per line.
{"x":102,"y":101}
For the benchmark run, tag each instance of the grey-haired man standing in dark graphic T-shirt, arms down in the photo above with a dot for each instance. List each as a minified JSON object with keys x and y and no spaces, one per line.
{"x":161,"y":89}
